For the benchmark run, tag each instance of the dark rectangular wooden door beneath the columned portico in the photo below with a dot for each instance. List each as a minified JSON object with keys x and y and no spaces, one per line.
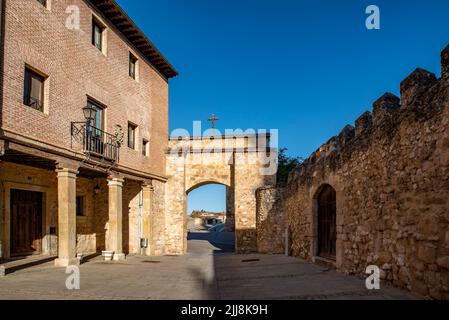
{"x":26,"y":222}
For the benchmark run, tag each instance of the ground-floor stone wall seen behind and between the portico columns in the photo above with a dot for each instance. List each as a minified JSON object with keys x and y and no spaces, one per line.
{"x":92,"y":228}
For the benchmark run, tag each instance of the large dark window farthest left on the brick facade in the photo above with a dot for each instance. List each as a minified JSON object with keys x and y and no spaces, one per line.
{"x":33,"y":95}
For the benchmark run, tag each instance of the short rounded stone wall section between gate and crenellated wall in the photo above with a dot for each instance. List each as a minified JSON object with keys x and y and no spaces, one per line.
{"x":270,"y":220}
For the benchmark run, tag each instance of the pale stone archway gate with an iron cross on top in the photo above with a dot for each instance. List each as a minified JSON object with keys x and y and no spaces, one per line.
{"x":243,"y":163}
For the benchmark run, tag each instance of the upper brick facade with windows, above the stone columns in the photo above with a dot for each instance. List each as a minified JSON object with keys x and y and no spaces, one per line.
{"x":75,"y":69}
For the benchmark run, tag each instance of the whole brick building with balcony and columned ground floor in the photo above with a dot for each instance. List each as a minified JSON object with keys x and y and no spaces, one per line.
{"x":84,"y":125}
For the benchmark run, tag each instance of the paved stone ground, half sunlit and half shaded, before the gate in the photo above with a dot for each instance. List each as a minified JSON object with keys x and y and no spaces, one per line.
{"x":207,"y":272}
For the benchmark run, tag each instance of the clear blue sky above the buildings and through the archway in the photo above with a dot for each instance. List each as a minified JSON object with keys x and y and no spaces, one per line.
{"x":307,"y":68}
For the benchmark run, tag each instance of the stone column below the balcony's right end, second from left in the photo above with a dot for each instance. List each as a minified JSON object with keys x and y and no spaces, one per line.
{"x":115,"y":241}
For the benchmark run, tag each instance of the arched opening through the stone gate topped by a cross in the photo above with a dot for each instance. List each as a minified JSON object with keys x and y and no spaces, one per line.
{"x":210,"y":218}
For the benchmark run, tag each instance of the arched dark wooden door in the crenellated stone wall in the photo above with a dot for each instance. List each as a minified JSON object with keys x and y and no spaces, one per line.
{"x":327,"y":223}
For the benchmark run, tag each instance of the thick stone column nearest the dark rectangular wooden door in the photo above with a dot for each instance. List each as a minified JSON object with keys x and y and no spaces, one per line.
{"x":66,"y":217}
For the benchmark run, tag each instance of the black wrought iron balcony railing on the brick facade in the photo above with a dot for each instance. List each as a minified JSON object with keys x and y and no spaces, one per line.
{"x":95,"y":141}
